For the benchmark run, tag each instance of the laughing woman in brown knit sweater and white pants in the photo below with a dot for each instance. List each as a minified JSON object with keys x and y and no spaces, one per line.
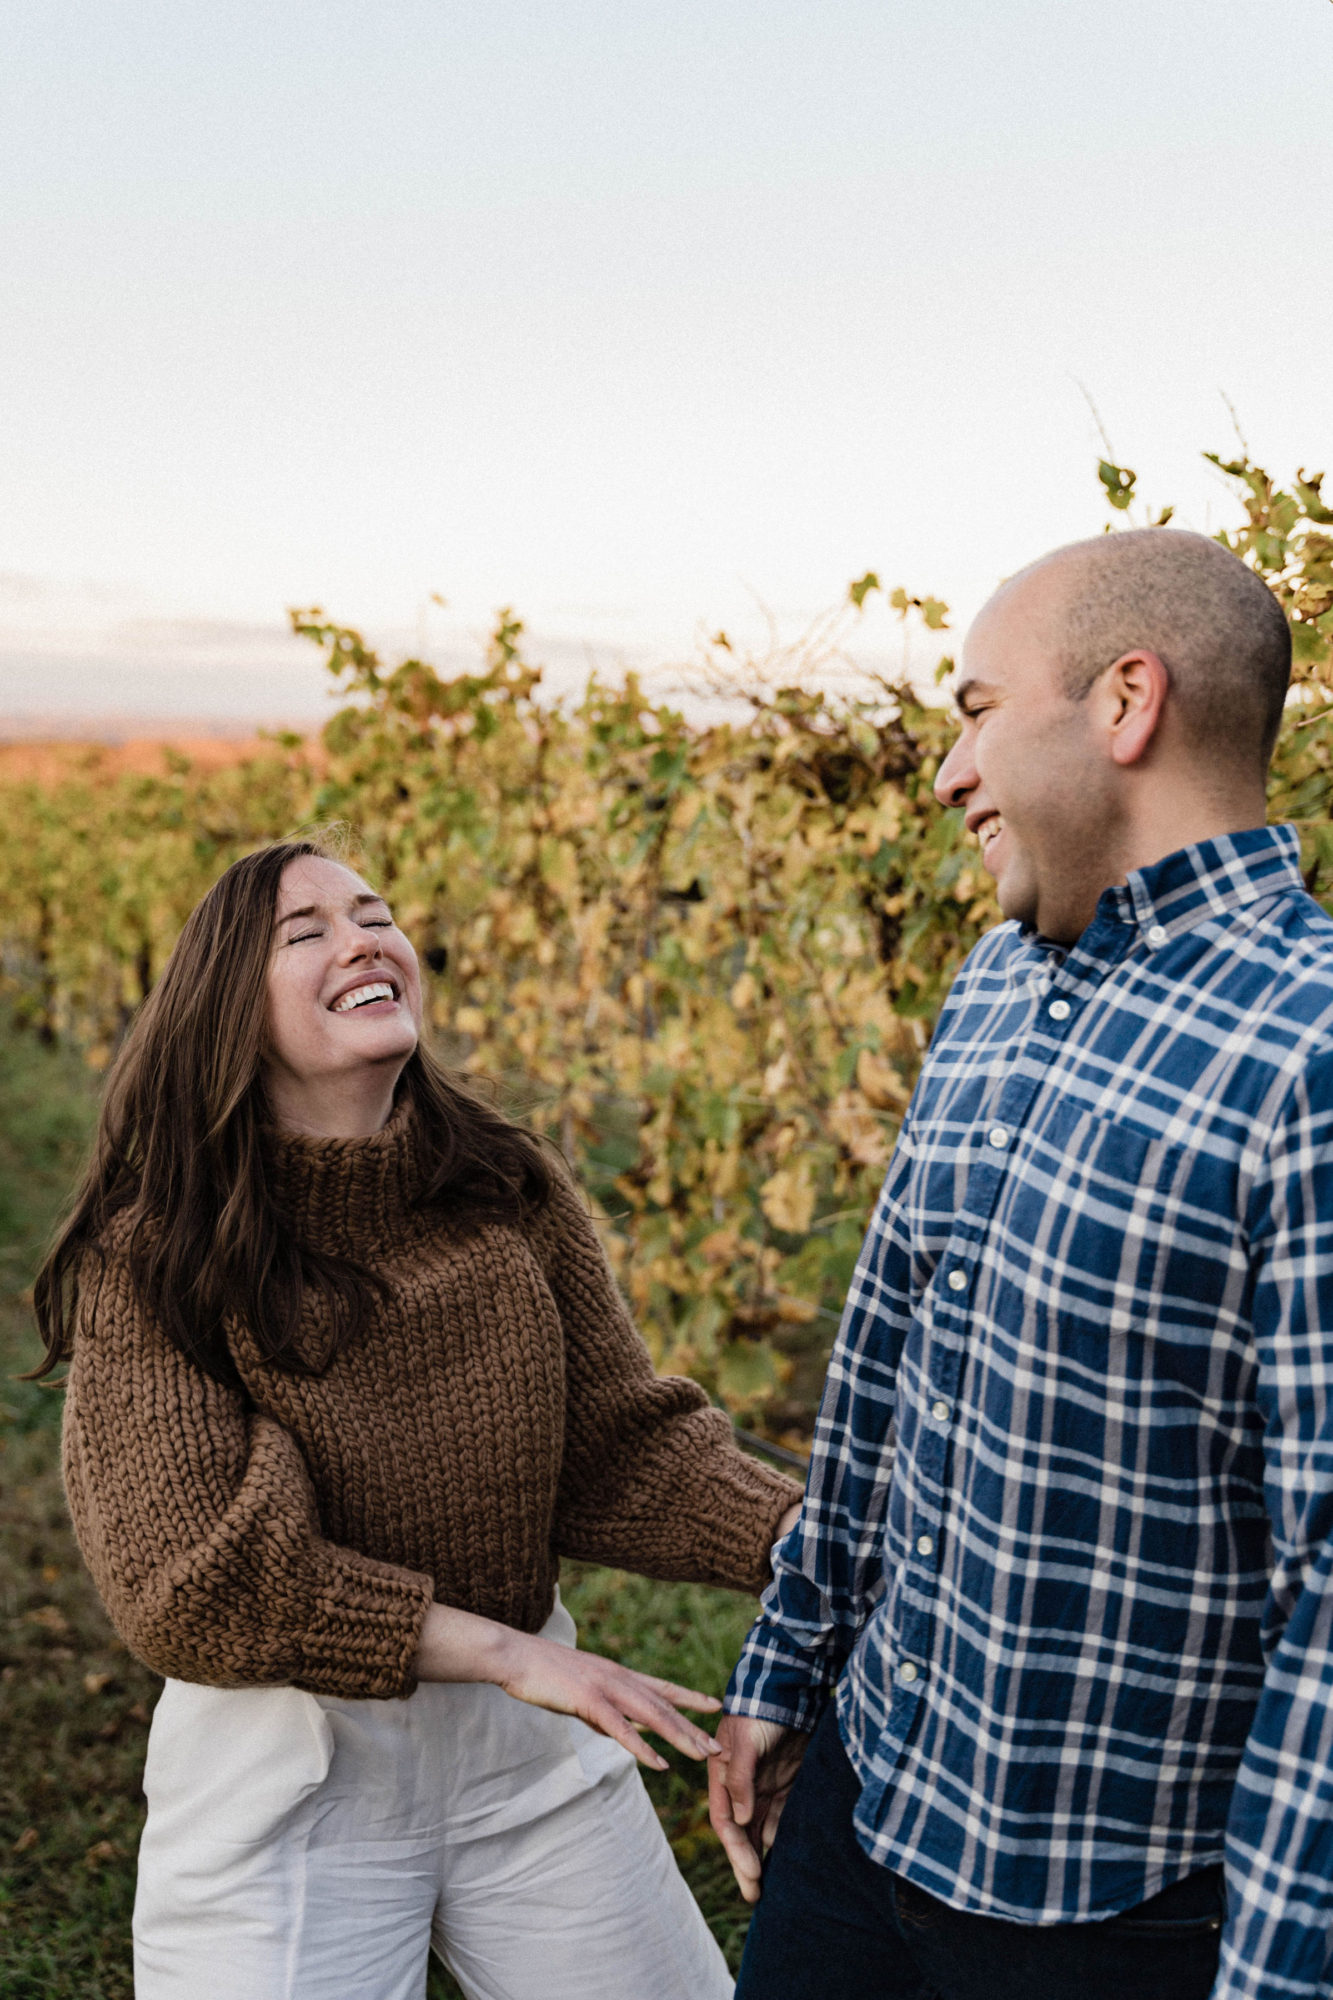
{"x":349,"y":1375}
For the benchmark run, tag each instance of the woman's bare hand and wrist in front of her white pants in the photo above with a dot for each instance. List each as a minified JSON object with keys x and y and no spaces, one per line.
{"x":541,"y":1671}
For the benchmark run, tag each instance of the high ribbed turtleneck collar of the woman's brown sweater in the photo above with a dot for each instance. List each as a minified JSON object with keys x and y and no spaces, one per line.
{"x":349,"y":1197}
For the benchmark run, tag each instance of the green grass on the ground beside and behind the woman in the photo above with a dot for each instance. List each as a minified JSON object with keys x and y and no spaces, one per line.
{"x":75,"y":1705}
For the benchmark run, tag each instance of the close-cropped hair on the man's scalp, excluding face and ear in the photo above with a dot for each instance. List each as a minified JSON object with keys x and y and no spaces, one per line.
{"x":1216,"y":627}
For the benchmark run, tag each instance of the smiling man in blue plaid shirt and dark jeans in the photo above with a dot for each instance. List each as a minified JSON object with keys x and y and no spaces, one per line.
{"x":1068,"y":1539}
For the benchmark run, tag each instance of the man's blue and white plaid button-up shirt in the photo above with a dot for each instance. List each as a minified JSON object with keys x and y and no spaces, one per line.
{"x":1068,"y":1537}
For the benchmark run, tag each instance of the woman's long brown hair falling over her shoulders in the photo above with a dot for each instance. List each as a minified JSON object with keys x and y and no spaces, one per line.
{"x":181,"y":1151}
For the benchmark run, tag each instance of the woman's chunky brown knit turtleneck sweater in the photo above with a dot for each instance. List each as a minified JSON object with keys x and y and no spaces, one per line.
{"x":497,"y":1413}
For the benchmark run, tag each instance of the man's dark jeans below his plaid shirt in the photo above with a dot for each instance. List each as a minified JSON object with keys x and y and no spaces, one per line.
{"x":834,"y":1925}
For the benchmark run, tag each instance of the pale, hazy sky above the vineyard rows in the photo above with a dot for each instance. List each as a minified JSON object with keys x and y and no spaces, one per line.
{"x":627,"y":315}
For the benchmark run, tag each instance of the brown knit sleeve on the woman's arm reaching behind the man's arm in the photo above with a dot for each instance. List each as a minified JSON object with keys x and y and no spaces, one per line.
{"x":653,"y":1479}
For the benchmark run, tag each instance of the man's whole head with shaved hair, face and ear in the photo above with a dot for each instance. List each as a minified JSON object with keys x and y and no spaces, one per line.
{"x":1120,"y":701}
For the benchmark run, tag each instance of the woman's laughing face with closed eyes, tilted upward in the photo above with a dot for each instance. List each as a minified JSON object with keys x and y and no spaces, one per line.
{"x":343,"y":995}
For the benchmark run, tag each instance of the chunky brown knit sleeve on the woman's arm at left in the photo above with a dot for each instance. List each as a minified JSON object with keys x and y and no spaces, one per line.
{"x":199,"y":1523}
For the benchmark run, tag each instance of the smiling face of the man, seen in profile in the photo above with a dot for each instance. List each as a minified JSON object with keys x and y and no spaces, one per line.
{"x":1030,"y":767}
